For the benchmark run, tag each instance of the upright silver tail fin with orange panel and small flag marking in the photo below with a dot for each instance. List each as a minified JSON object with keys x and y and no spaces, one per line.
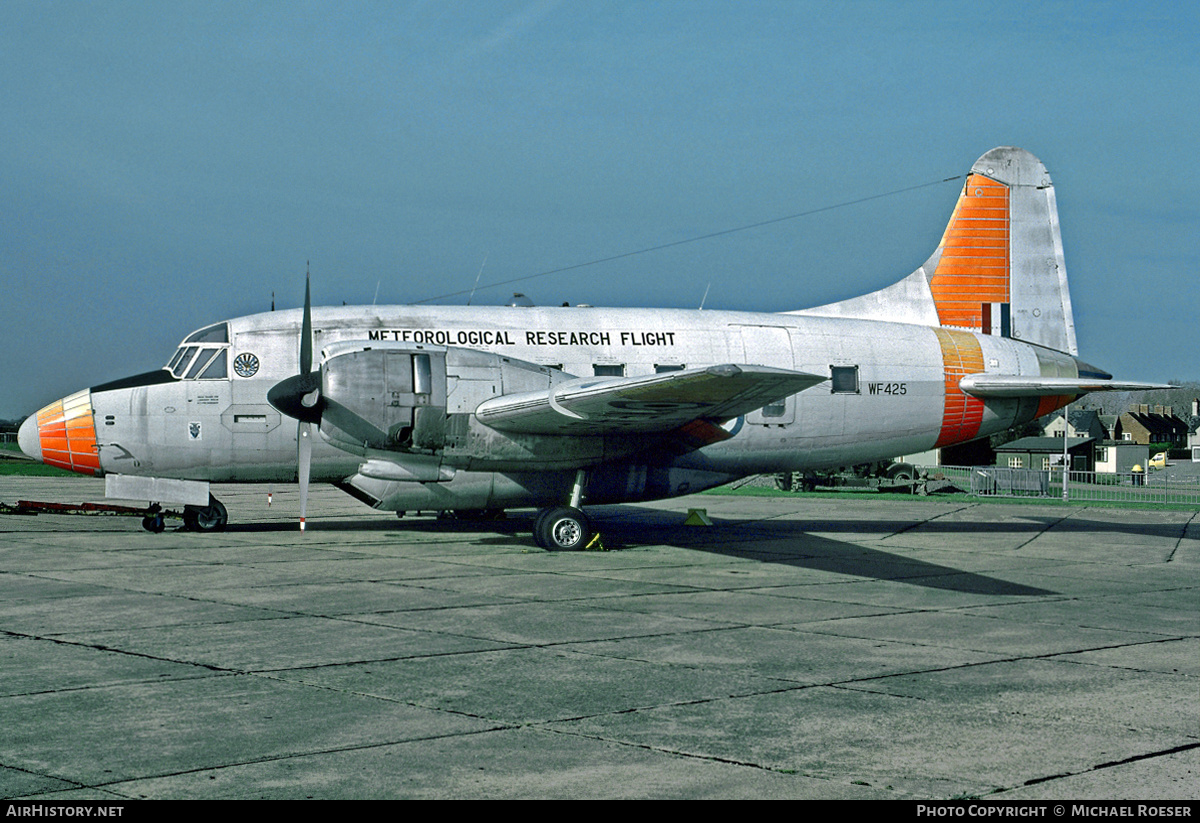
{"x":999,"y":269}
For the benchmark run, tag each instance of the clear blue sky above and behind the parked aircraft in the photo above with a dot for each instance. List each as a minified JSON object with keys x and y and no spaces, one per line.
{"x":166,"y":166}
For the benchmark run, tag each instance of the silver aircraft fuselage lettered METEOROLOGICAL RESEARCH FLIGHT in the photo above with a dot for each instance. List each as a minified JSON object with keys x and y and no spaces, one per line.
{"x":904,"y":399}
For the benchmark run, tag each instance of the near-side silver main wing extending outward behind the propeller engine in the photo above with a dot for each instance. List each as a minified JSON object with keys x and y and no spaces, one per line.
{"x":644,"y":405}
